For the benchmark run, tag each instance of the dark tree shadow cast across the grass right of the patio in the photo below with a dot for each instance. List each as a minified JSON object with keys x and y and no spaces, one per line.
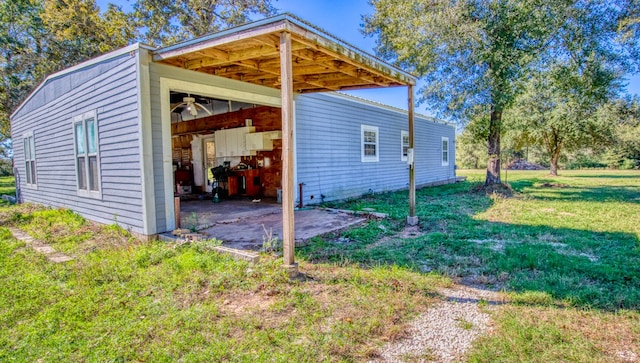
{"x":581,"y":267}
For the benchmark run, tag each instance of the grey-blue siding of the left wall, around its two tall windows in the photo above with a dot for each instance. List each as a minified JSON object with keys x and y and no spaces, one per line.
{"x":109,"y":88}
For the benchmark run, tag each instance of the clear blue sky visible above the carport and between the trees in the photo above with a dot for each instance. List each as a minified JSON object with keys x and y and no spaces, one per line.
{"x":343,"y":19}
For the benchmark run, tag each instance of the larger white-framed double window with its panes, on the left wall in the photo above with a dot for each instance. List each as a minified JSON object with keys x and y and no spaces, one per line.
{"x":85,"y":131}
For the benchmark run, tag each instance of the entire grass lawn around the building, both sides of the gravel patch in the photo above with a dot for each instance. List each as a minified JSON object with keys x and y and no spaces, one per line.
{"x":566,"y":249}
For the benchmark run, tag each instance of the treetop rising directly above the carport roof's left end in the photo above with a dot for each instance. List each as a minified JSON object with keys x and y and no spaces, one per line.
{"x":170,"y":21}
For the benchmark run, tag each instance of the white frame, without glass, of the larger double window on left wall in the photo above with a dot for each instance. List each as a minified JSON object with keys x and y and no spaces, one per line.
{"x":86,"y":191}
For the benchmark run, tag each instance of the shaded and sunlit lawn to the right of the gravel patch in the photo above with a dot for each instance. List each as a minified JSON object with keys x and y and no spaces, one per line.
{"x":566,"y":250}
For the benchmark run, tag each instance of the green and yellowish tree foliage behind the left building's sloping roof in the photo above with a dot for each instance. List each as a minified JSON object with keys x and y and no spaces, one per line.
{"x":38,"y":37}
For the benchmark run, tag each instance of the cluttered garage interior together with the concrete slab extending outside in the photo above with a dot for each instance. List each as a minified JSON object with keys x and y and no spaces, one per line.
{"x":227,"y":161}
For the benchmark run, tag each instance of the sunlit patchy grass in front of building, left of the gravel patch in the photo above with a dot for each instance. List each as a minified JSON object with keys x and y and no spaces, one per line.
{"x":125,"y":300}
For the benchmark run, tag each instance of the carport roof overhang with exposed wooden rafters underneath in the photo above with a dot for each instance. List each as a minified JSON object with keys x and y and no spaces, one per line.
{"x":250,"y":53}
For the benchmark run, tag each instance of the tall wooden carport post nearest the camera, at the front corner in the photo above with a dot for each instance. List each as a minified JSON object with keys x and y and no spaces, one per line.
{"x":286,"y":91}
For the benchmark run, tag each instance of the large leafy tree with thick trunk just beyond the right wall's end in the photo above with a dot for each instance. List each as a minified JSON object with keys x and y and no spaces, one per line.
{"x":476,"y":54}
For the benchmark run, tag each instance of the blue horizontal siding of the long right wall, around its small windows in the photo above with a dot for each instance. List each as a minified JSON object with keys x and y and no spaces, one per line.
{"x":328,"y":148}
